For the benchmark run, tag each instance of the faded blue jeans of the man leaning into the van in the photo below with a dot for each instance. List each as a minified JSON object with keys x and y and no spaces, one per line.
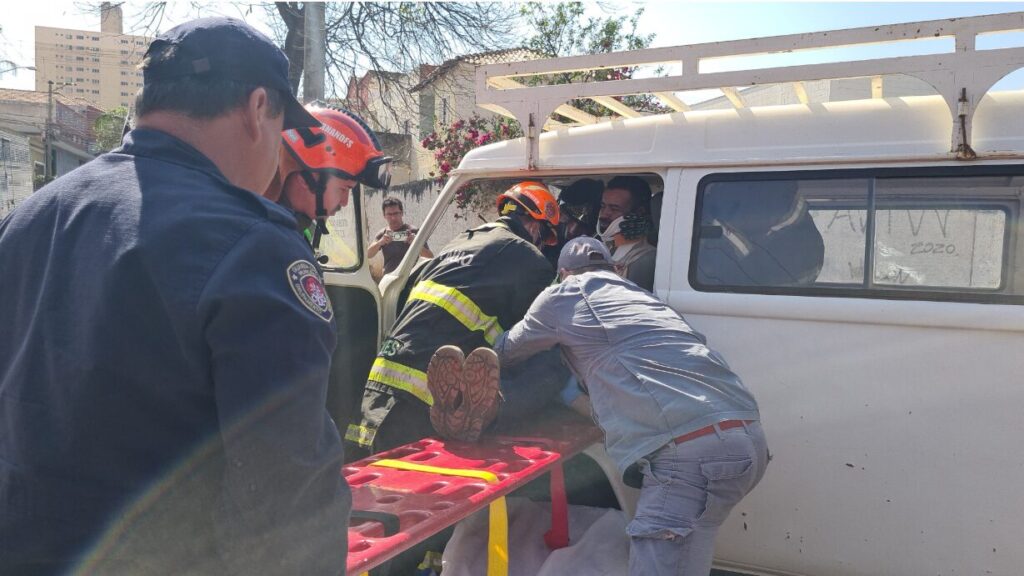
{"x":689,"y":491}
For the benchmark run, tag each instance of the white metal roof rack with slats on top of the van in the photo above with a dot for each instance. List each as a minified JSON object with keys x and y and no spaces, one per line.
{"x":962,"y":77}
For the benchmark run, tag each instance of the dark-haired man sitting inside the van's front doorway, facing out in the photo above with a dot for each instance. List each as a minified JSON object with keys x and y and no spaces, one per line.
{"x":623,"y":226}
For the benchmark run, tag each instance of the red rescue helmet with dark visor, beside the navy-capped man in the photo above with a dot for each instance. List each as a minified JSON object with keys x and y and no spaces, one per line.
{"x":344,"y":146}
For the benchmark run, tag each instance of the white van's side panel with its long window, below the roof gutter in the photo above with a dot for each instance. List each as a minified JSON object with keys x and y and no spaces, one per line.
{"x":878,"y":316}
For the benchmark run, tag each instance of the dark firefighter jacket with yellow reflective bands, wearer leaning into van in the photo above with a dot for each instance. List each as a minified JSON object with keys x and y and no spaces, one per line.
{"x":480,"y":286}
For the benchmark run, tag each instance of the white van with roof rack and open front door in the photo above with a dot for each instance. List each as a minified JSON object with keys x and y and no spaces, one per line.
{"x":861,"y":265}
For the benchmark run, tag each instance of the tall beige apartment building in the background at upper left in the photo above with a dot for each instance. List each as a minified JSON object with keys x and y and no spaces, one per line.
{"x":100,"y":67}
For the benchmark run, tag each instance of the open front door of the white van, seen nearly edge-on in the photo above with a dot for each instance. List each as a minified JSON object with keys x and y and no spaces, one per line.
{"x":356,"y":300}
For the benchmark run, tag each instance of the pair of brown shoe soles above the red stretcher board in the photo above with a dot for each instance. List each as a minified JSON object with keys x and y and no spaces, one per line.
{"x":466,"y":393}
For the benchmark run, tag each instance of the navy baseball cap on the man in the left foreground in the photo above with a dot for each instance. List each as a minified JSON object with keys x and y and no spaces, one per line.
{"x":224,"y":48}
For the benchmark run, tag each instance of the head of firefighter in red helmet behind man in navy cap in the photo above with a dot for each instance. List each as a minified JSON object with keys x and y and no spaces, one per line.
{"x":320,"y":168}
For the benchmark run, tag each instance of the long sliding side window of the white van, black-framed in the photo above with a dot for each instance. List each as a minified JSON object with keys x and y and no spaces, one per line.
{"x":888,"y":235}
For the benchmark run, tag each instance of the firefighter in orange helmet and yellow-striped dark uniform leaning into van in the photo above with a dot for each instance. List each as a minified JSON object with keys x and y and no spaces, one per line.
{"x":482,"y":283}
